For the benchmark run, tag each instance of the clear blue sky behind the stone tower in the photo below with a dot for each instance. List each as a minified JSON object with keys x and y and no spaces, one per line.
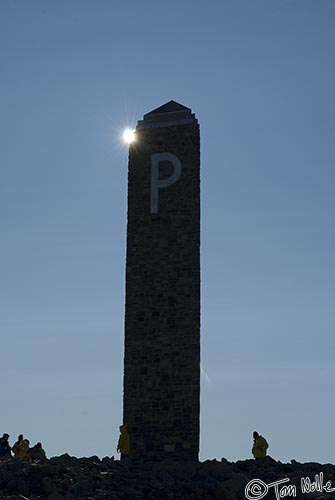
{"x":260,"y":77}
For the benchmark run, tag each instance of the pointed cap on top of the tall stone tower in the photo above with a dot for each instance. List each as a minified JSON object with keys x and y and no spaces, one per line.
{"x":169,"y":114}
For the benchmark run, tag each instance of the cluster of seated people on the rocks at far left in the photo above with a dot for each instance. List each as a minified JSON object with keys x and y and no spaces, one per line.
{"x":21,"y":449}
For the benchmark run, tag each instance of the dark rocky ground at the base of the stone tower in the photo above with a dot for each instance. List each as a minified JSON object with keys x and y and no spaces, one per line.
{"x":68,"y":478}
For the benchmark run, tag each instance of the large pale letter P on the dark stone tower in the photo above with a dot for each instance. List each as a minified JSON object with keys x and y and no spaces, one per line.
{"x":157,"y":183}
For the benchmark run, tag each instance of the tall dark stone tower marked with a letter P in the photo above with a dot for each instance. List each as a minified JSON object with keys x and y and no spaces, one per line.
{"x":162,"y":314}
